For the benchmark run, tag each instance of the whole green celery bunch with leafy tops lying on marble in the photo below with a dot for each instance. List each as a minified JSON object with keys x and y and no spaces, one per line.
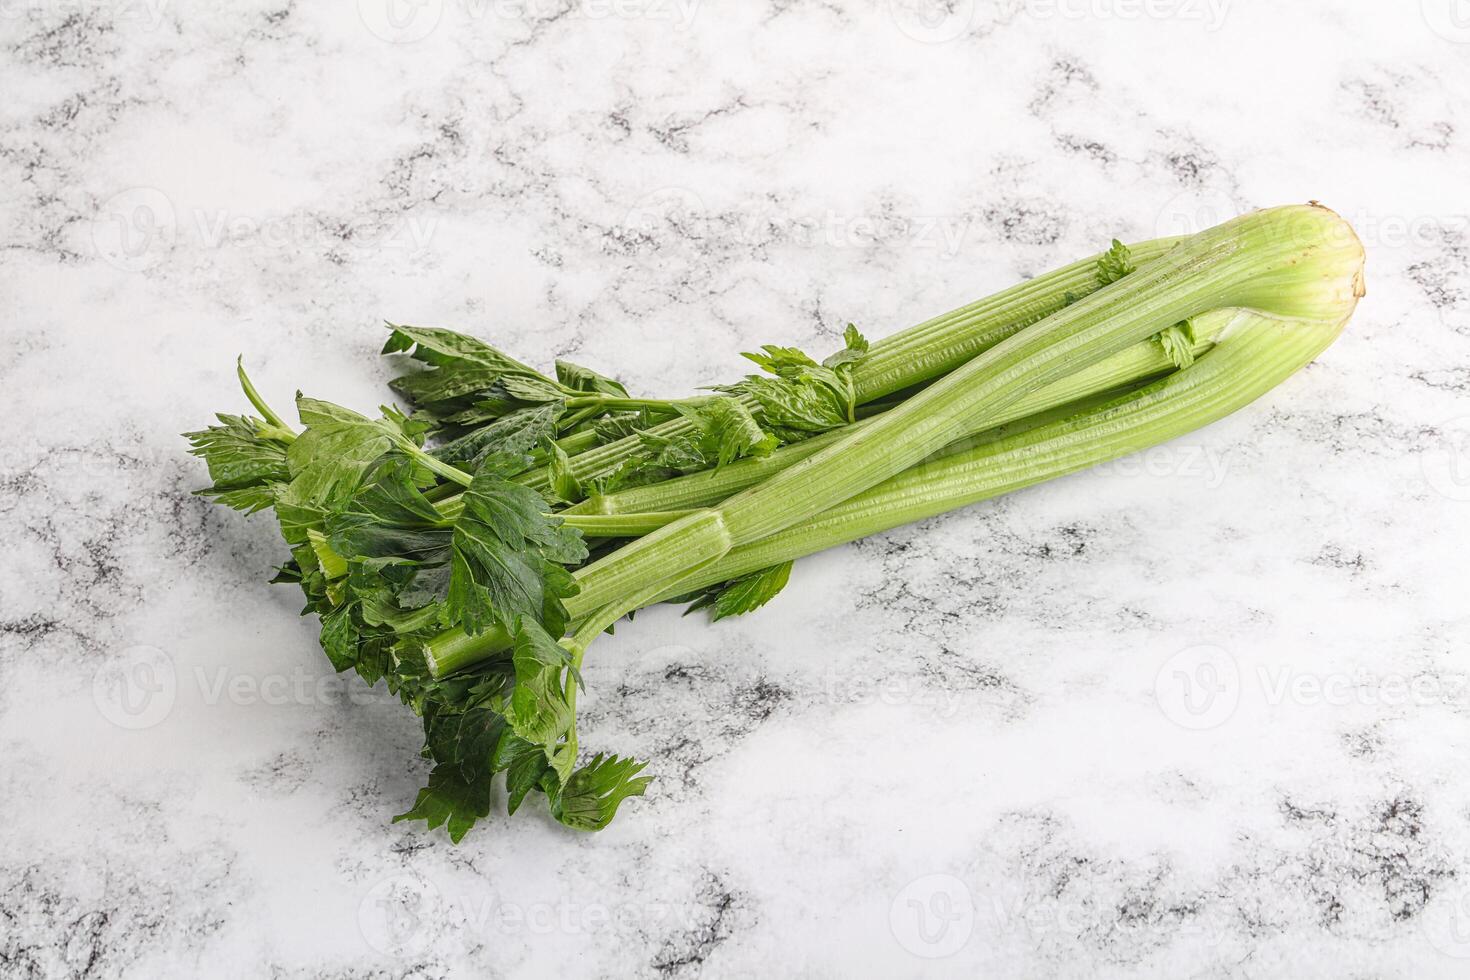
{"x":468,"y":555}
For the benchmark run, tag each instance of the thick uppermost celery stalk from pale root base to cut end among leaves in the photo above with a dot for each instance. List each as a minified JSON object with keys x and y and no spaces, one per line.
{"x":1290,"y":262}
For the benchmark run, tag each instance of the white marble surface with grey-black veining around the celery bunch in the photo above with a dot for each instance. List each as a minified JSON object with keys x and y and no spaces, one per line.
{"x":1200,"y":715}
